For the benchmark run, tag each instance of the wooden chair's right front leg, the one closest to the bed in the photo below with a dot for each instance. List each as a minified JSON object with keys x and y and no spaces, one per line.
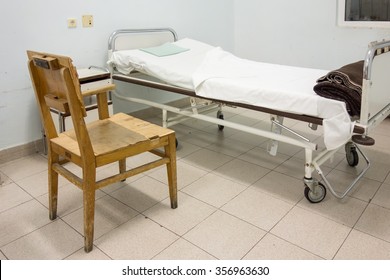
{"x":170,"y":151}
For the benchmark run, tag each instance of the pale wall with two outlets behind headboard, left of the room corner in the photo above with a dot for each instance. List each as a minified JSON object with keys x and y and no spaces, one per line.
{"x":41,"y":25}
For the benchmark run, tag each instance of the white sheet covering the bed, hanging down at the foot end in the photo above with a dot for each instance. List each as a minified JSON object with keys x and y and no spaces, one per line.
{"x":215,"y":73}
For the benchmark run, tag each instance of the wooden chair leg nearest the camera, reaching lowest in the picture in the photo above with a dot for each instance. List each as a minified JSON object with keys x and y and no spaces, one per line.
{"x":89,"y":208}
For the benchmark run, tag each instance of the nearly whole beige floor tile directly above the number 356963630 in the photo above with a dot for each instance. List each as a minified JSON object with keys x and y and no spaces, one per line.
{"x":225,"y":236}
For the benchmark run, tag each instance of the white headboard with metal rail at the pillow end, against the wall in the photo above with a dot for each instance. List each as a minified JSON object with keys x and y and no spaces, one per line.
{"x":127,"y":39}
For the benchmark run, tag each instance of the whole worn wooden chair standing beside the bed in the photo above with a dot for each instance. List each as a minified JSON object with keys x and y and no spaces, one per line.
{"x":105,"y":141}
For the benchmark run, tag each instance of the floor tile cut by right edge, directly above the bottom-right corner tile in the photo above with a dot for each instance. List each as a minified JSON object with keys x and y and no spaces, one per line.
{"x":376,"y":222}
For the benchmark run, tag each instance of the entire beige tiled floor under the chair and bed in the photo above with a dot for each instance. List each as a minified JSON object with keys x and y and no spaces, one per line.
{"x":235,"y":202}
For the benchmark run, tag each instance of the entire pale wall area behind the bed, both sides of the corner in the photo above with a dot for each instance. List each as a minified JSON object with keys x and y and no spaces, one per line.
{"x":299,"y":32}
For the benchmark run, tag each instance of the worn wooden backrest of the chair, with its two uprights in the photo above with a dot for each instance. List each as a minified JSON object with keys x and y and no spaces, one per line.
{"x":56,"y":85}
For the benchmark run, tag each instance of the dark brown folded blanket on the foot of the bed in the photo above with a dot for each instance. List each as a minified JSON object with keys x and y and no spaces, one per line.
{"x":343,"y":84}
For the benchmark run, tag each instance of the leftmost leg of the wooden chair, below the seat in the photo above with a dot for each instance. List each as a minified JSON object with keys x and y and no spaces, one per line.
{"x":53,"y":185}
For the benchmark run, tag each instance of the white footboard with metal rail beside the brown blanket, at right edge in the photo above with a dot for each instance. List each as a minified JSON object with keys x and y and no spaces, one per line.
{"x":376,"y":84}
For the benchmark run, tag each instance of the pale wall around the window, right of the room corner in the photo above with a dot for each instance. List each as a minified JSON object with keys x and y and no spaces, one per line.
{"x":298,"y":32}
